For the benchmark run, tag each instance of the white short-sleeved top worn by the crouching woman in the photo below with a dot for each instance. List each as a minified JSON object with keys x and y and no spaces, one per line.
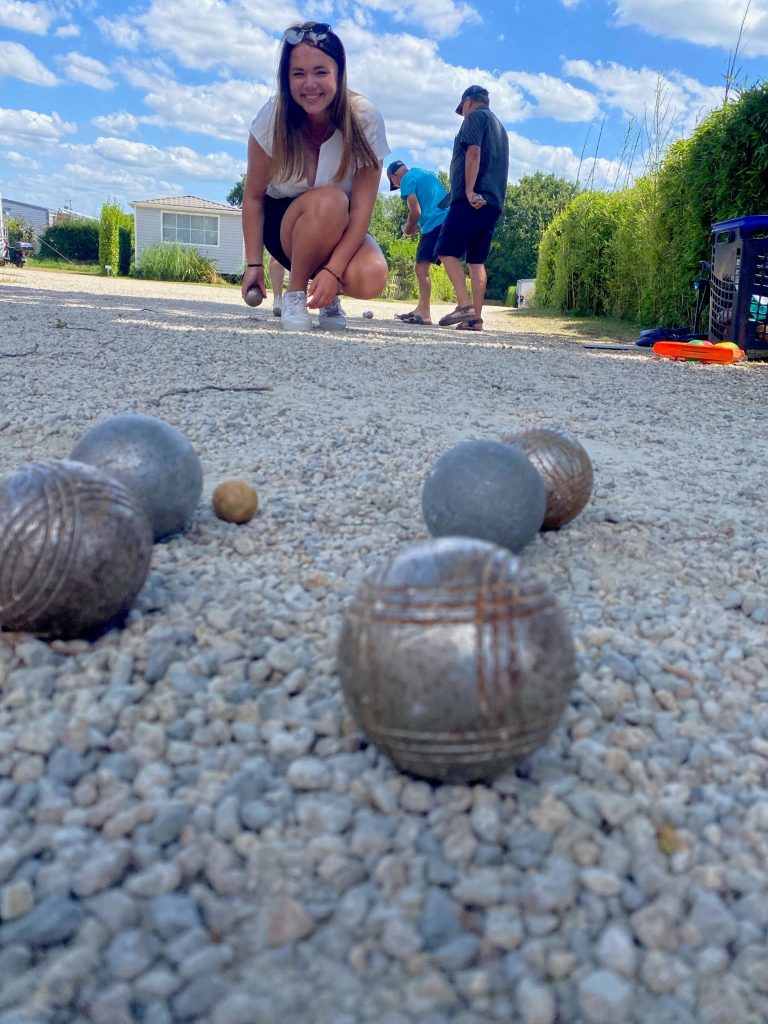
{"x":329,"y":160}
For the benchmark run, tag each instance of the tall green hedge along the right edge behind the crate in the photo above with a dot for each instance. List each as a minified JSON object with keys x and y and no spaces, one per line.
{"x":636,"y":253}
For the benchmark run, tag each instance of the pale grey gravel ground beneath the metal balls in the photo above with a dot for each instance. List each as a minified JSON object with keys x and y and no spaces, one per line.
{"x":192,"y":829}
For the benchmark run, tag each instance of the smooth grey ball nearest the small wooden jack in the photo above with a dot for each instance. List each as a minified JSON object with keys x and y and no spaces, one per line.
{"x":153,"y":459}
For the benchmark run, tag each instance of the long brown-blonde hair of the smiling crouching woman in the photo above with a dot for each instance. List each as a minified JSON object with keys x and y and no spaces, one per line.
{"x":289,"y":147}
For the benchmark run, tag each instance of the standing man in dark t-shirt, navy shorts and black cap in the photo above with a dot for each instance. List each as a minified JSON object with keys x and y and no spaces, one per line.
{"x":480,"y":167}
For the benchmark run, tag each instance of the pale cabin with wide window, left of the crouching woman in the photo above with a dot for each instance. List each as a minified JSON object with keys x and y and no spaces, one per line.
{"x":212,"y":228}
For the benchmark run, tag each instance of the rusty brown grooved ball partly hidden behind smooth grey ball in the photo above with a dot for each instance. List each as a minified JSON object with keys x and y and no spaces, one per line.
{"x":566,"y":468}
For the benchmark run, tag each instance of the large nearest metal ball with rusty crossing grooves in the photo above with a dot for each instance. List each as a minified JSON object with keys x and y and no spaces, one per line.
{"x":455,"y":661}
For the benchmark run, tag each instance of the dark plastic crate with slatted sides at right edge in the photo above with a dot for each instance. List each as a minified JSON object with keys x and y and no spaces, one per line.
{"x":739,"y":297}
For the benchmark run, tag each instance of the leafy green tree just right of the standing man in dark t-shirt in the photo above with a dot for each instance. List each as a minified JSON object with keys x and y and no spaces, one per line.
{"x":530,"y":206}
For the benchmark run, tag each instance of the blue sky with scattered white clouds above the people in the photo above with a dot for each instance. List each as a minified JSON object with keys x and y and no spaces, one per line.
{"x":143,"y":101}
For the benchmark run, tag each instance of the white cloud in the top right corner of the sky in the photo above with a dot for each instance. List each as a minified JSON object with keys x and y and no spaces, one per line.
{"x":707,"y":23}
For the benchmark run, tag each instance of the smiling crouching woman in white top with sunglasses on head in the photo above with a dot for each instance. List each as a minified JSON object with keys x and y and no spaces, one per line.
{"x":315,"y":158}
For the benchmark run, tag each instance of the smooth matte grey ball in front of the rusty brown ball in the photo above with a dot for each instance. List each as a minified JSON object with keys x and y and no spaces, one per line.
{"x":486,"y":490}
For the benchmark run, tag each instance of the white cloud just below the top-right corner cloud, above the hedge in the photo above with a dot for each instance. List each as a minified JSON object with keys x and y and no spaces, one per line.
{"x":681,"y":102}
